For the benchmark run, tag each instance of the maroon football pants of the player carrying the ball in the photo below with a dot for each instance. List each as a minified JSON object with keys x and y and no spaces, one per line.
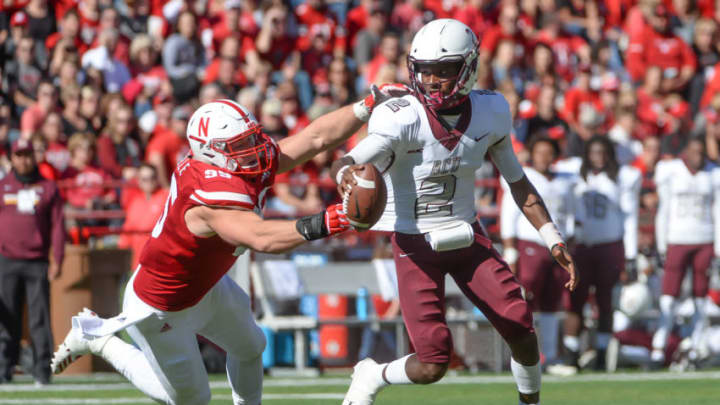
{"x":480,"y":273}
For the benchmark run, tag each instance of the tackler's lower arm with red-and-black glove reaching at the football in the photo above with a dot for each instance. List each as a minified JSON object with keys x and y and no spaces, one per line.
{"x":246,"y":228}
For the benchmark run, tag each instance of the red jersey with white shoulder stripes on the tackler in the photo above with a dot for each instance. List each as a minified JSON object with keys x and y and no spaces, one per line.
{"x":178,"y":268}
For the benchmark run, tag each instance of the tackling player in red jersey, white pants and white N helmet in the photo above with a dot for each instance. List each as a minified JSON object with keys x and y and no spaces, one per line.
{"x":212,"y":214}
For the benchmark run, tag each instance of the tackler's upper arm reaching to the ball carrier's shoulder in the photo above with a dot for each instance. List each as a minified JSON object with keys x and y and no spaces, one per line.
{"x":332,"y":129}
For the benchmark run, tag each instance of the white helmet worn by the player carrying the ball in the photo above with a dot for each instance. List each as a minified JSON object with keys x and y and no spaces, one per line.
{"x":444,"y":41}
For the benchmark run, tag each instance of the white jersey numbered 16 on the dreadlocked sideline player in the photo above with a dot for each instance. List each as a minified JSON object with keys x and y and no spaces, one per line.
{"x":607,"y":210}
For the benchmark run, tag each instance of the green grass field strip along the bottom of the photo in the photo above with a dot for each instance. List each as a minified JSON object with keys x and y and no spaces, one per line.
{"x":587,"y":389}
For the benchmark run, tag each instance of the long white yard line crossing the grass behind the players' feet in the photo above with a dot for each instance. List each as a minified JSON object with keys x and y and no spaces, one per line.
{"x":342,"y":382}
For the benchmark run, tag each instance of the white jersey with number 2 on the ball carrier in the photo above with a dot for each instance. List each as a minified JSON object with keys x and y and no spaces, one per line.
{"x":430,"y":171}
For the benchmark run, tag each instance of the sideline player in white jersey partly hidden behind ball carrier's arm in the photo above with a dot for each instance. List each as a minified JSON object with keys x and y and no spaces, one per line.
{"x":523,"y":248}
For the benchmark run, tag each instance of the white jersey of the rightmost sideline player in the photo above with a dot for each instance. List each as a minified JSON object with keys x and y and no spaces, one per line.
{"x":689,"y":205}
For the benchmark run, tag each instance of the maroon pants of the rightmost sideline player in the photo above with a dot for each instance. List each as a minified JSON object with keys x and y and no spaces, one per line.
{"x":678,"y":258}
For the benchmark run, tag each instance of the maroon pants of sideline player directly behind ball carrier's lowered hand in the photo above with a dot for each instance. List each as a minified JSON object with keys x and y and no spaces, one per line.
{"x":541,"y":276}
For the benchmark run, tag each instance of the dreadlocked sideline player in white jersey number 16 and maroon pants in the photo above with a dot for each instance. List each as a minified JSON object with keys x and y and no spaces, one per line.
{"x":606,"y":216}
